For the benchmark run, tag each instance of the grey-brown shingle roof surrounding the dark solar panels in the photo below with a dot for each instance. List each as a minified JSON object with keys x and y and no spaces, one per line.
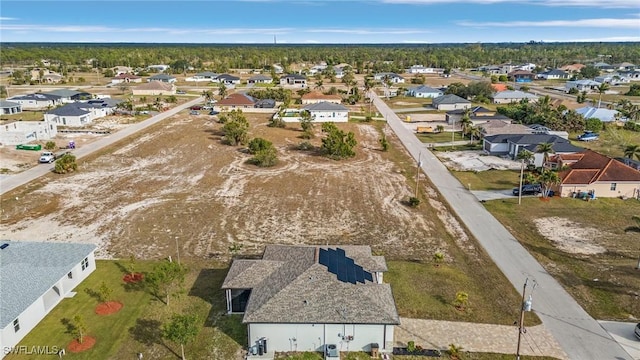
{"x":291,"y":286}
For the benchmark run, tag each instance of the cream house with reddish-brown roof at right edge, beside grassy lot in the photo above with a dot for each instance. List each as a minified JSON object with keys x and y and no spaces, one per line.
{"x":599,"y":175}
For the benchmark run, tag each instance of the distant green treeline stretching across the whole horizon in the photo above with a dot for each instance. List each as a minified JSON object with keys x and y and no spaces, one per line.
{"x":382,"y":57}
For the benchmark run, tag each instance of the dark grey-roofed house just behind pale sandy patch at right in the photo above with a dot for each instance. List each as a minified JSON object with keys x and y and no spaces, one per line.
{"x":512,"y":144}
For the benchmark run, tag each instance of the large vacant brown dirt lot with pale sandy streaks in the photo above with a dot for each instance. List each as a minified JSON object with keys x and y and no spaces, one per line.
{"x":178,"y":185}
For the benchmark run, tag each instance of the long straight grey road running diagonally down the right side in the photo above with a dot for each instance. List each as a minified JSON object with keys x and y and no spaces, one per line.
{"x":580,"y":336}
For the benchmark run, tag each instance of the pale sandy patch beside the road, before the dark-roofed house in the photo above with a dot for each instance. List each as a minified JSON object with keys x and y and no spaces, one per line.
{"x":475,"y":161}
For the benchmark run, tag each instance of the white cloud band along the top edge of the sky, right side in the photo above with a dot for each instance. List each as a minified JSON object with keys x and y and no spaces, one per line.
{"x":563,"y":3}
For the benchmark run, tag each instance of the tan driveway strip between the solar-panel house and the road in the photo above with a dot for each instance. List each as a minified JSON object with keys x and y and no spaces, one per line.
{"x":502,"y":339}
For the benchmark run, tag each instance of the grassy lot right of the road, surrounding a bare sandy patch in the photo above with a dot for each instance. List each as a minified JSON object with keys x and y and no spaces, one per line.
{"x":614,"y":294}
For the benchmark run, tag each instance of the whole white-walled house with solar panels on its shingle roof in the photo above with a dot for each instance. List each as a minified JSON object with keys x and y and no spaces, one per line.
{"x":304,"y":298}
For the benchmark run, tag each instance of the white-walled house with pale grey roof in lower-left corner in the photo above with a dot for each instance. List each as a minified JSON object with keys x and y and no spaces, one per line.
{"x":36,"y":276}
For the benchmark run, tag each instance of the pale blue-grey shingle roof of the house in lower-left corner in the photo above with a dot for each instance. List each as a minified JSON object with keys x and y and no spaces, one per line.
{"x":30,"y":269}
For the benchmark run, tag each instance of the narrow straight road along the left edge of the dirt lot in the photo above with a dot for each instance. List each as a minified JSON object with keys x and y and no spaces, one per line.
{"x":9,"y":183}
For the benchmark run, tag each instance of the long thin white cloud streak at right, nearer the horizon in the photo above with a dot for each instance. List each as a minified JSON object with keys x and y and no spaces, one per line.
{"x":591,"y":23}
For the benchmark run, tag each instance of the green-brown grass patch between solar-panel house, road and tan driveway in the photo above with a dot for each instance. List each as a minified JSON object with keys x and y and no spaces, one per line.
{"x":425,"y":291}
